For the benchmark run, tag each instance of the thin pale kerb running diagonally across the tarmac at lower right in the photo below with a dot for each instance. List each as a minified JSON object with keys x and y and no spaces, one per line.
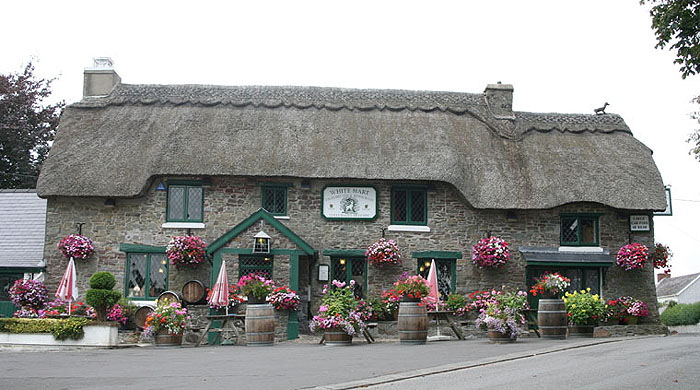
{"x":384,"y":379}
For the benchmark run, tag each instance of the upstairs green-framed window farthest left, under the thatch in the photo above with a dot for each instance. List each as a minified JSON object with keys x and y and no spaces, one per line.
{"x":185,"y":202}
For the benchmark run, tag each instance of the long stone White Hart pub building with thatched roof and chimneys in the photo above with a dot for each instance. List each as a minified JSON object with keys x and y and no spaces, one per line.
{"x":327,"y":171}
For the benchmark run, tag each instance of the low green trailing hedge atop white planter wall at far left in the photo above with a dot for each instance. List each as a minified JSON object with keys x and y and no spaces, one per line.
{"x":60,"y":328}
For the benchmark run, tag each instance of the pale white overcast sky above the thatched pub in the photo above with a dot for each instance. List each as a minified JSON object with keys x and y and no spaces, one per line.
{"x":560,"y":56}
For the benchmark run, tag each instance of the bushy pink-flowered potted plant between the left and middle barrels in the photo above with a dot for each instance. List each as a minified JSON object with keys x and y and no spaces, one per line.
{"x":339,"y":309}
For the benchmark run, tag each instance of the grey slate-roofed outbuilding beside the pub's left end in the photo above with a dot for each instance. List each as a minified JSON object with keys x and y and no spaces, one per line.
{"x":22,"y":235}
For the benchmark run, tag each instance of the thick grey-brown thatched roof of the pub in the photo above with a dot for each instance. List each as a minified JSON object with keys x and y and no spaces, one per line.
{"x":111,"y":146}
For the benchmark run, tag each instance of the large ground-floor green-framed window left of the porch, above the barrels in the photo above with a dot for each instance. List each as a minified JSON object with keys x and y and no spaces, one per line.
{"x":146,"y":275}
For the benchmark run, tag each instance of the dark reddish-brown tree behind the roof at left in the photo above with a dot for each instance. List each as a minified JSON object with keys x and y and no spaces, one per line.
{"x":26,"y":127}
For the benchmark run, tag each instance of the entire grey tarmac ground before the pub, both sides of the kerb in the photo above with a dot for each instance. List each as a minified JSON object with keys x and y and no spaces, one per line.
{"x":641,"y":363}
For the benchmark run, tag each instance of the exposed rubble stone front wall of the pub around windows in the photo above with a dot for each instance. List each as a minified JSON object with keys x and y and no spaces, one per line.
{"x":454,"y":226}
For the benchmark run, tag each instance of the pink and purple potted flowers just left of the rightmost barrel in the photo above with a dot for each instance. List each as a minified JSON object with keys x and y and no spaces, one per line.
{"x":505,"y":314}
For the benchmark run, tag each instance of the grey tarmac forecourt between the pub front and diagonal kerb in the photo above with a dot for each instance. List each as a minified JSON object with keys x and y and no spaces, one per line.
{"x":288,"y":365}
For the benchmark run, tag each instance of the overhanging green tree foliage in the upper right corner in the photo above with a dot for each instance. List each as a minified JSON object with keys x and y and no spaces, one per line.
{"x":678,"y":22}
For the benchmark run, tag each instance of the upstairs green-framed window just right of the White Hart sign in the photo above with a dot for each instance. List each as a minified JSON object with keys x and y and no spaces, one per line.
{"x":409,"y":206}
